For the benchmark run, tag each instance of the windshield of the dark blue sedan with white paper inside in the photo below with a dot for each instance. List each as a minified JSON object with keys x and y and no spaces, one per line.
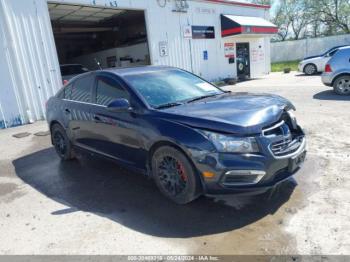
{"x":168,"y":88}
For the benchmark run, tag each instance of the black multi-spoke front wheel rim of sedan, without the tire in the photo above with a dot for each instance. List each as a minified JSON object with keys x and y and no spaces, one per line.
{"x":172,"y":175}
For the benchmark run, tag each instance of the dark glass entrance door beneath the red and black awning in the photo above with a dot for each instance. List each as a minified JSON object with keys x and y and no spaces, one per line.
{"x":243,"y":61}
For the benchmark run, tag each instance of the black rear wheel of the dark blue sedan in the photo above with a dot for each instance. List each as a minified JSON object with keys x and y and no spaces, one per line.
{"x":61,"y":143}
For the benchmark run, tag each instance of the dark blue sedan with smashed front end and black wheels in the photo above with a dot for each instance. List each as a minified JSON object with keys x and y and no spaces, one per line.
{"x":191,"y":137}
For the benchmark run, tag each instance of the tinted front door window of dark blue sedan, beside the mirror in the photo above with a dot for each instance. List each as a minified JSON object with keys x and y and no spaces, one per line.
{"x":109,"y":90}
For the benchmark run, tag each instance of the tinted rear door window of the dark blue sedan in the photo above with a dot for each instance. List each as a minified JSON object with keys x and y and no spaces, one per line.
{"x":82,"y":89}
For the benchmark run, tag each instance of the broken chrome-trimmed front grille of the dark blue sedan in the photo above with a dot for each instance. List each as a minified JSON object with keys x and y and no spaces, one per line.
{"x":284,"y":140}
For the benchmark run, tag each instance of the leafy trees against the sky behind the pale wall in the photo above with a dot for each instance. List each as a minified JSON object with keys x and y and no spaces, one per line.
{"x":298,"y":19}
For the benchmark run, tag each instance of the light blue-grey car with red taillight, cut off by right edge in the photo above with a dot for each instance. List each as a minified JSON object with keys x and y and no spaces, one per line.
{"x":337,"y":72}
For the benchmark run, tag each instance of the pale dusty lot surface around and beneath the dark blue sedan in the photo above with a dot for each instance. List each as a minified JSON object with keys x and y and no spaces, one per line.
{"x":94,"y":207}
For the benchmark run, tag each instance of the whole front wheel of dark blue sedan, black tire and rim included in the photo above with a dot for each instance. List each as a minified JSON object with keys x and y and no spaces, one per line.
{"x":175,"y":176}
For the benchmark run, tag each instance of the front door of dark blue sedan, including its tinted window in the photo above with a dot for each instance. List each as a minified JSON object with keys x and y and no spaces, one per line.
{"x":115,"y":134}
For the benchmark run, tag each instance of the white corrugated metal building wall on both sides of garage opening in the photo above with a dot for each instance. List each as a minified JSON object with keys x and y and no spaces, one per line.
{"x":29,"y":68}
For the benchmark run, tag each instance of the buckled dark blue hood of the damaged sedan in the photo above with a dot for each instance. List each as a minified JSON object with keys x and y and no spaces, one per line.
{"x":239,"y":113}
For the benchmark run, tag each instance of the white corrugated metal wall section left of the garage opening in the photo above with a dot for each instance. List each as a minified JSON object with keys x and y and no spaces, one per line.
{"x":29,"y":63}
